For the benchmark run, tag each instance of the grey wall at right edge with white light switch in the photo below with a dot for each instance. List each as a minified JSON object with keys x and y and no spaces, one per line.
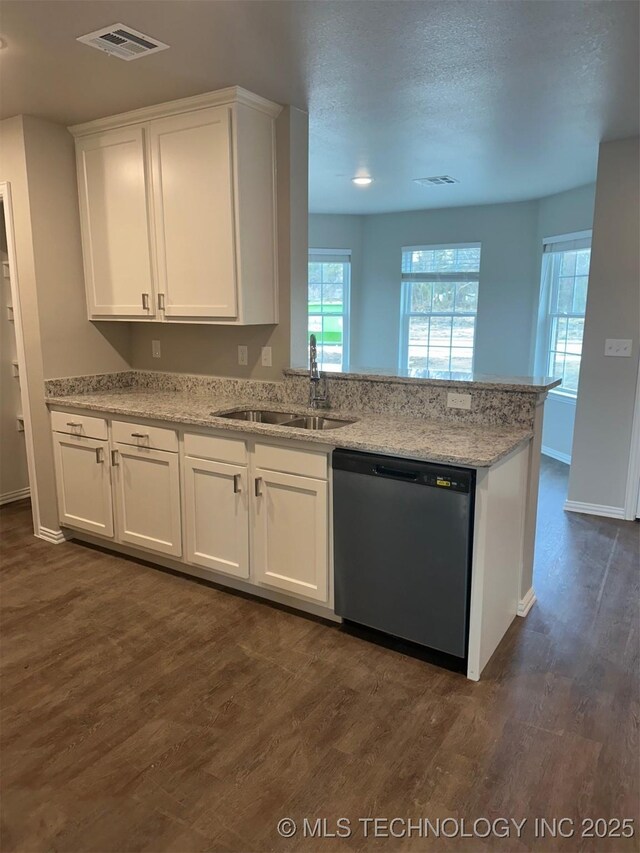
{"x":604,"y":415}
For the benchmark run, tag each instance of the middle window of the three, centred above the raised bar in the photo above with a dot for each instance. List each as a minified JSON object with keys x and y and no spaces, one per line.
{"x":439,"y":306}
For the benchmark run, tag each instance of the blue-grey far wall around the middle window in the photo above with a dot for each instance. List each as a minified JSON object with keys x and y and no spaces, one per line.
{"x":508,"y":277}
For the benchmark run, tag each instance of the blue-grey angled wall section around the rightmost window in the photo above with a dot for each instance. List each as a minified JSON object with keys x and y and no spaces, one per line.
{"x":564,"y":213}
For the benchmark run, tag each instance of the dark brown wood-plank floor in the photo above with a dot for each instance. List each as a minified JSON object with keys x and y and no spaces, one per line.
{"x":145,"y":711}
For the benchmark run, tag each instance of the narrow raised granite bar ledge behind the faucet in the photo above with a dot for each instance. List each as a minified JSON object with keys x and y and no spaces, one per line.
{"x":466,"y":381}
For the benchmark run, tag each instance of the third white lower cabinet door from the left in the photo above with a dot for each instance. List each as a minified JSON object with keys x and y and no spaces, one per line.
{"x":217,"y":516}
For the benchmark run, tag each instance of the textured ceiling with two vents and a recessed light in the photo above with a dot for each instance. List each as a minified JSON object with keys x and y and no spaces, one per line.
{"x":511,"y":98}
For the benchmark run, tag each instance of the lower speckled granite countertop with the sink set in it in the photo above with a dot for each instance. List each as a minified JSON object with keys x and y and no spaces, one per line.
{"x":471,"y":445}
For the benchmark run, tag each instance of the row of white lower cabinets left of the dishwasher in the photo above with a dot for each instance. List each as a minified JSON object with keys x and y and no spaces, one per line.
{"x":253,"y":510}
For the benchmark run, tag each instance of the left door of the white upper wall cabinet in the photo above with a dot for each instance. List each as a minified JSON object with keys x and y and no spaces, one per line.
{"x":115,"y":224}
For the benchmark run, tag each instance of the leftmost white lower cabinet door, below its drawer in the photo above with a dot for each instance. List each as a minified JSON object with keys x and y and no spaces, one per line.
{"x":83,"y":483}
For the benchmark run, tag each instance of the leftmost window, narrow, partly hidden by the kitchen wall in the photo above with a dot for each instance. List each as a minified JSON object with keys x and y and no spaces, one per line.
{"x":328,"y":301}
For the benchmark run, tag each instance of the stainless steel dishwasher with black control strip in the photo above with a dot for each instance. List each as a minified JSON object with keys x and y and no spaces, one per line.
{"x":403,"y":534}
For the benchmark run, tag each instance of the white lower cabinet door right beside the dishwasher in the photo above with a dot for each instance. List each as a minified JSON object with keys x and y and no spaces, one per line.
{"x":291,"y":533}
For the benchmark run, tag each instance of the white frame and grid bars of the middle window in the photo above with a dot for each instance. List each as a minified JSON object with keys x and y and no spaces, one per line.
{"x":405,"y":299}
